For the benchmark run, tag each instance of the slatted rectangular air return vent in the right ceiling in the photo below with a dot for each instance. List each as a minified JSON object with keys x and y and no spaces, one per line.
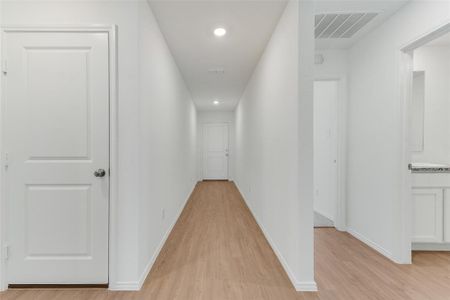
{"x":342,"y":25}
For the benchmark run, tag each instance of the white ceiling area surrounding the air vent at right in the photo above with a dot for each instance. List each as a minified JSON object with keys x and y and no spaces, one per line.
{"x":382,"y":8}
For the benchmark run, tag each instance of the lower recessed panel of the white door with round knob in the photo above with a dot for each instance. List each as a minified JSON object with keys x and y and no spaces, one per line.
{"x":60,"y":235}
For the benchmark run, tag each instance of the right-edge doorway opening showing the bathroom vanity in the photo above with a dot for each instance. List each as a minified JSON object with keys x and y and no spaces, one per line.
{"x":426,"y":89}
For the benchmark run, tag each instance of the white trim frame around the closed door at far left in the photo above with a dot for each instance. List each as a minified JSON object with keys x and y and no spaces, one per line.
{"x":111,"y":30}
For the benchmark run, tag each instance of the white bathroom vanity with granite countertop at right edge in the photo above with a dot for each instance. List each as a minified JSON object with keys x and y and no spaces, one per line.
{"x":431,"y":206}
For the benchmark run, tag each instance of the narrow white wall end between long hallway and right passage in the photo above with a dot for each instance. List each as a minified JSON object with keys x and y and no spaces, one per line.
{"x":305,"y":71}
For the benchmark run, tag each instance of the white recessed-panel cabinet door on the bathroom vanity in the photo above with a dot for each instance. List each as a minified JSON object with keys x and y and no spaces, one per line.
{"x":428,"y":215}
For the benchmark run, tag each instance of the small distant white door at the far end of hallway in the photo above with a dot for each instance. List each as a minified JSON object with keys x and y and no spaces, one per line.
{"x":215,"y":151}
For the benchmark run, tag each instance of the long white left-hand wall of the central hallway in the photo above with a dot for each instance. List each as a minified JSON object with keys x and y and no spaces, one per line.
{"x":167,"y":143}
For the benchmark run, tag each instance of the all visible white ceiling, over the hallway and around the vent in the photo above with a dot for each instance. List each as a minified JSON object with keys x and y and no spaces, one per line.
{"x":218,"y":68}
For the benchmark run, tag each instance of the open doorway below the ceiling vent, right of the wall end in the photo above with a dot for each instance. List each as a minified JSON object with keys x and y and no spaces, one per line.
{"x":329,"y":153}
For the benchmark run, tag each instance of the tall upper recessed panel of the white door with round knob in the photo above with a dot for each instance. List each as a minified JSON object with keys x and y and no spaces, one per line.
{"x":66,"y":69}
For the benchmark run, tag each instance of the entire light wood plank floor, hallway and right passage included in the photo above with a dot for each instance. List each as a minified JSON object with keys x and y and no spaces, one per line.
{"x":217,"y":251}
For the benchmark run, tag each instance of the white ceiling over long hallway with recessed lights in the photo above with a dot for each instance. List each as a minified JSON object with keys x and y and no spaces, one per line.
{"x":217,"y":67}
